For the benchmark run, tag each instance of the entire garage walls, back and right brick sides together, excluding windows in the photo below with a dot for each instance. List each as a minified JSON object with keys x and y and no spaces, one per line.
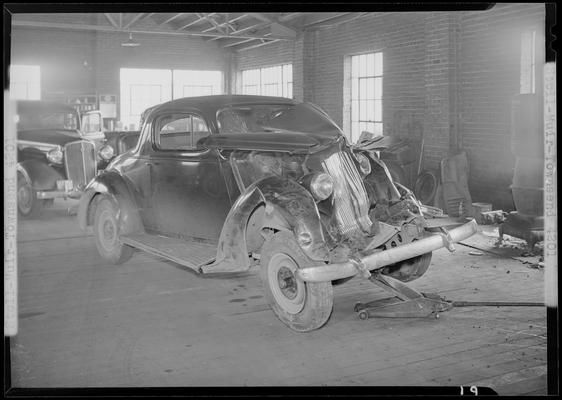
{"x":449,"y":77}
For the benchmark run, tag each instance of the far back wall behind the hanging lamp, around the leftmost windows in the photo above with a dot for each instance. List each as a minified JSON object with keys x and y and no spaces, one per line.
{"x":91,"y":61}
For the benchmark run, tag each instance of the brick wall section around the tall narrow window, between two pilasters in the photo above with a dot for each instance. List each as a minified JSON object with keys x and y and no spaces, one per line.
{"x":400,"y":36}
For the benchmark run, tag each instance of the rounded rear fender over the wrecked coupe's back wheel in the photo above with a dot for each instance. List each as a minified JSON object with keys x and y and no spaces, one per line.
{"x":117,"y":189}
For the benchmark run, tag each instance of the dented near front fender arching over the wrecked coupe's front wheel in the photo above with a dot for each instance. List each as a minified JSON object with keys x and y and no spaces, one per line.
{"x":281,"y":204}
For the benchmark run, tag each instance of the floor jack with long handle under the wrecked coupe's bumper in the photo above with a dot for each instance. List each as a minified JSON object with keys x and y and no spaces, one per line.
{"x":409,"y":303}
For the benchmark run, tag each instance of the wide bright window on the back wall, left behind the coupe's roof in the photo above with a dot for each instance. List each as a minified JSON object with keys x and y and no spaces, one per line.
{"x":144,"y":88}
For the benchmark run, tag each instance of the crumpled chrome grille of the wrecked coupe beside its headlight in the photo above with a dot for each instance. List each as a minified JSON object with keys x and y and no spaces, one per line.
{"x":351,"y":203}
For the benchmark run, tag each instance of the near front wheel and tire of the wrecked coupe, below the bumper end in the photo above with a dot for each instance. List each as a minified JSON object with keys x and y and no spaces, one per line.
{"x":301,"y":306}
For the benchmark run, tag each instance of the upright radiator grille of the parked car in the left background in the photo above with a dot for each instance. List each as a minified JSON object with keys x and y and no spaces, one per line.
{"x":80,"y":162}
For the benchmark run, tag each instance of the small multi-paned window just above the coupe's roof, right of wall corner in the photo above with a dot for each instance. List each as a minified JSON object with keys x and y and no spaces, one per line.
{"x":270,"y":81}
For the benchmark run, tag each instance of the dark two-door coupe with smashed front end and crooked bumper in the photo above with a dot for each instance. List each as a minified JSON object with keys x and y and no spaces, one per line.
{"x":224,"y":183}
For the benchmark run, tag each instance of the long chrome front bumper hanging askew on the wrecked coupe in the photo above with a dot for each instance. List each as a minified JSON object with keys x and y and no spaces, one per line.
{"x":374,"y":261}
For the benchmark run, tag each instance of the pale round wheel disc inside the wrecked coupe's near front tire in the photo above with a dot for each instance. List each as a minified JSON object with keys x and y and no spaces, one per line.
{"x":288,"y":291}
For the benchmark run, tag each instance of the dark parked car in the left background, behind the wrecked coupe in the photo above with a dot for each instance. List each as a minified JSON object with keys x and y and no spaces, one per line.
{"x":57,"y":153}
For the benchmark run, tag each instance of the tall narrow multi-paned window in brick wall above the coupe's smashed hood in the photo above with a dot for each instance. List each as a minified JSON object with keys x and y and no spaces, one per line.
{"x":366,"y":94}
